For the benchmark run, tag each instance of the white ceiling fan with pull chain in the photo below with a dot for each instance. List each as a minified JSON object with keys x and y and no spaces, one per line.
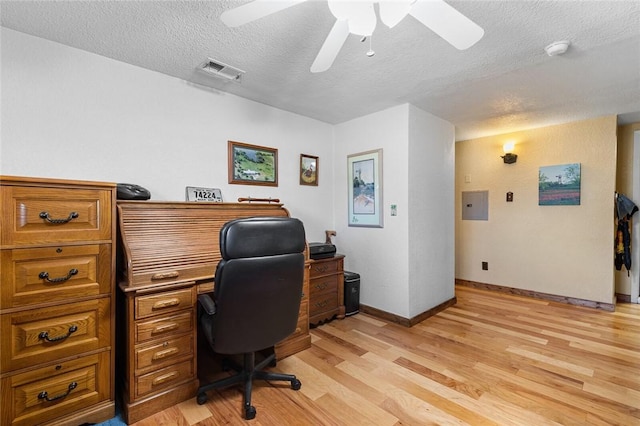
{"x":359,"y":17}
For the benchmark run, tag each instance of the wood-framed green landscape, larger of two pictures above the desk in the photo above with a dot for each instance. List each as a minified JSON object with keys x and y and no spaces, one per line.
{"x":252,"y":164}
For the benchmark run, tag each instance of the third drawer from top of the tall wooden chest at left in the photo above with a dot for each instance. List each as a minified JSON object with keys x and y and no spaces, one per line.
{"x":44,"y":335}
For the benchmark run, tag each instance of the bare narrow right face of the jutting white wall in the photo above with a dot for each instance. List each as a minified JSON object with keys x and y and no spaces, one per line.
{"x":431,"y":165}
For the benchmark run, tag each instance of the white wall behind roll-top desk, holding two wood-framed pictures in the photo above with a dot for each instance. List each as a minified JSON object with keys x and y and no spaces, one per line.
{"x":70,"y":114}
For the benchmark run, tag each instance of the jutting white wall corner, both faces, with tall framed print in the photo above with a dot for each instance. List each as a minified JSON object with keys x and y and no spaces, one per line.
{"x":403,"y":266}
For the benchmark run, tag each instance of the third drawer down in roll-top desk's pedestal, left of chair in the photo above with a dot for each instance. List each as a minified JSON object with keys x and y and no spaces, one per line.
{"x":164,"y":352}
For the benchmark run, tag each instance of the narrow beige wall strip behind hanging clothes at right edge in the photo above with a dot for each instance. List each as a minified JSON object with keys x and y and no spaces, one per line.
{"x":624,"y":185}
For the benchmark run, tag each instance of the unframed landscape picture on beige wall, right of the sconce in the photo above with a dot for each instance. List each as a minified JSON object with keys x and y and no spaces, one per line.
{"x":559,"y":185}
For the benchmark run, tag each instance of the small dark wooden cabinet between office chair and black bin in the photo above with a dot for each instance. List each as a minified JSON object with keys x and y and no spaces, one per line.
{"x":326,"y":289}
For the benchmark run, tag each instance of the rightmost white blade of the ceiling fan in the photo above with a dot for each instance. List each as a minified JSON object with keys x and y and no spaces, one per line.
{"x":447,"y":22}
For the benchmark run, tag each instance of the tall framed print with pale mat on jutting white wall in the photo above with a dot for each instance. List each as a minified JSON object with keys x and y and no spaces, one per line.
{"x":364,"y":175}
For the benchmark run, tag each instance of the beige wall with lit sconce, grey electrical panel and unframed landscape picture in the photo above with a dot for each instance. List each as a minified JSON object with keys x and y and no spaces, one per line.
{"x":560,"y":250}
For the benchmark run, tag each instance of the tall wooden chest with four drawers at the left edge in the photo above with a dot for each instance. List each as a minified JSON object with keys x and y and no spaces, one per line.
{"x":57,"y":265}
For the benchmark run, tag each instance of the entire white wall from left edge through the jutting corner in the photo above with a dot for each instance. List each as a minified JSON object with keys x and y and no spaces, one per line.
{"x":71,"y":114}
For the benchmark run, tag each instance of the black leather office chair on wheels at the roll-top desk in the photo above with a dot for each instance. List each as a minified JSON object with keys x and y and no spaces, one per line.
{"x":256,"y":300}
